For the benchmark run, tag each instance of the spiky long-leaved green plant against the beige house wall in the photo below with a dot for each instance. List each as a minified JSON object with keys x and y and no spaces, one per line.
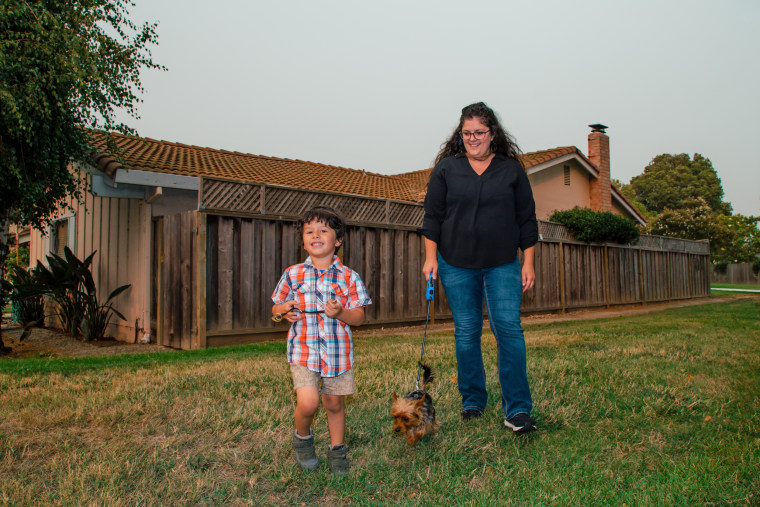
{"x":68,"y":281}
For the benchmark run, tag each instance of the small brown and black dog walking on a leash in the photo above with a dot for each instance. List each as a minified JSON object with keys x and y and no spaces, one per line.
{"x":414,"y":414}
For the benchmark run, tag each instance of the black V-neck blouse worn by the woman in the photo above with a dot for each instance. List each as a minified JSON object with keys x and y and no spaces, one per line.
{"x":479,"y":221}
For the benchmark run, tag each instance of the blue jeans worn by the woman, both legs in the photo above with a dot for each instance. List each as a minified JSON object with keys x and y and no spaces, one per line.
{"x":501,"y":289}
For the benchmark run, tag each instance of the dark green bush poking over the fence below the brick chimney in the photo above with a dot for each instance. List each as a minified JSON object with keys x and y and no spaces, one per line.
{"x":597,"y":226}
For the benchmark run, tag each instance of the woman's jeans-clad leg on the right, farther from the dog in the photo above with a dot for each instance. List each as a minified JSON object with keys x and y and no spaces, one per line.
{"x":503,"y":295}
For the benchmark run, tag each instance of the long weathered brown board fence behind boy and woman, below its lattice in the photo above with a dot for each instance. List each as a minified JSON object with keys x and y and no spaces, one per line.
{"x":217,"y":273}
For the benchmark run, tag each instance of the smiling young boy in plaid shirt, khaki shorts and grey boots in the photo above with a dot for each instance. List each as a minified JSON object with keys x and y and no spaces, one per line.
{"x":321,"y":298}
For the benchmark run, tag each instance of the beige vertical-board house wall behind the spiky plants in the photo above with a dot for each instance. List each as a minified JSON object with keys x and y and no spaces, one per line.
{"x":119,"y":229}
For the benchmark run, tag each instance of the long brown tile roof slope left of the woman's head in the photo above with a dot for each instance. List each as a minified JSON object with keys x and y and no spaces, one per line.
{"x":175,"y":158}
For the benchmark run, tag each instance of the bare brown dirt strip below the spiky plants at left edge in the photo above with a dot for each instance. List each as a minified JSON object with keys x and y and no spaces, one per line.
{"x":44,"y":342}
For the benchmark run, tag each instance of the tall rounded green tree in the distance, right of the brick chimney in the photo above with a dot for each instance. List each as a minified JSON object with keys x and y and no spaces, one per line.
{"x":670,"y":180}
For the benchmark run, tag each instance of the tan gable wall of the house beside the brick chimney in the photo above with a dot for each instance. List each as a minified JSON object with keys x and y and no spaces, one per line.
{"x":551,"y":193}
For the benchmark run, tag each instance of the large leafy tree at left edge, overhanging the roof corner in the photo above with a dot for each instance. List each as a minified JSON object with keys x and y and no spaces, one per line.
{"x":65,"y":68}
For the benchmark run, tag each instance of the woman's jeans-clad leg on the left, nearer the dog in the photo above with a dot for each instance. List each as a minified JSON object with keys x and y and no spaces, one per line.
{"x":464,"y":292}
